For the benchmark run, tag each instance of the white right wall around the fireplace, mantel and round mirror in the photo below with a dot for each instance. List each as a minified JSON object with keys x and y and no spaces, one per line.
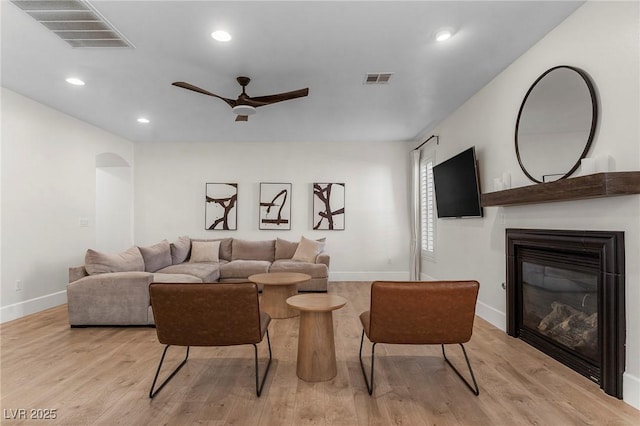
{"x":603,"y":38}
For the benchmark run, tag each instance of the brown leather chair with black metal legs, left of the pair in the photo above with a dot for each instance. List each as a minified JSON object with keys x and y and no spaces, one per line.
{"x":208,"y":315}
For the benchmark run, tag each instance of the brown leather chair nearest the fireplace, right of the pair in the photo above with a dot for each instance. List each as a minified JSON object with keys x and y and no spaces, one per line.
{"x":420,"y":313}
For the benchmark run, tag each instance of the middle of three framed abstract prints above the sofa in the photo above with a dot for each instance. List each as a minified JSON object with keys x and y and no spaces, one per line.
{"x":275,"y":206}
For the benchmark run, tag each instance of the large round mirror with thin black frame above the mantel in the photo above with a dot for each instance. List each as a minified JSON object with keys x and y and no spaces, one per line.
{"x":556,"y":124}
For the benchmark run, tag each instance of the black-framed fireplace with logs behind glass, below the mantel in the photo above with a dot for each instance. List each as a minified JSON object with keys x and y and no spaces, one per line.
{"x":565,"y":297}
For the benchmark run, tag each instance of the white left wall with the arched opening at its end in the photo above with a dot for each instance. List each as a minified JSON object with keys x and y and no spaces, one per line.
{"x":48,"y":185}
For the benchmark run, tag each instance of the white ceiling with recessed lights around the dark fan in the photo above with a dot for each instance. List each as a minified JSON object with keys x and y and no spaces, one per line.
{"x":327,"y":46}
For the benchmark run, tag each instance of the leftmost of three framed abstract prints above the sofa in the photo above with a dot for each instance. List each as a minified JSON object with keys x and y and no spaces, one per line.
{"x":221,"y":206}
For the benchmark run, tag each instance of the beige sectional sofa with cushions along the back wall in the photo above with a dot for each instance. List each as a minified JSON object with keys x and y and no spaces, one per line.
{"x":113,"y":289}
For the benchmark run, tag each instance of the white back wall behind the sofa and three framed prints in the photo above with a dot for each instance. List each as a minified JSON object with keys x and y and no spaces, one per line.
{"x":170,"y":182}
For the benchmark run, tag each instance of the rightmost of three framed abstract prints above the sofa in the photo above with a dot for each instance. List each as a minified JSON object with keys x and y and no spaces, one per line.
{"x":328,"y":206}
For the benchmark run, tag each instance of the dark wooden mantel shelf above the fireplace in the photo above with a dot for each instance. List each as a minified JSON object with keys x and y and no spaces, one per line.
{"x":590,"y":186}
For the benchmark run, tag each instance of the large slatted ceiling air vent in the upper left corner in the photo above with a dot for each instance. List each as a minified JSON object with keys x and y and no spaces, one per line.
{"x":74,"y":21}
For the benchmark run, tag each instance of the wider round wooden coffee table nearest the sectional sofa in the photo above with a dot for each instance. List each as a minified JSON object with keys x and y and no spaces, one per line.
{"x":277,"y":287}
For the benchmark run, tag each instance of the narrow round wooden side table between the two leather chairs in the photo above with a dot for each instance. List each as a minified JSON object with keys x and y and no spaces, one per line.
{"x":316,"y":345}
